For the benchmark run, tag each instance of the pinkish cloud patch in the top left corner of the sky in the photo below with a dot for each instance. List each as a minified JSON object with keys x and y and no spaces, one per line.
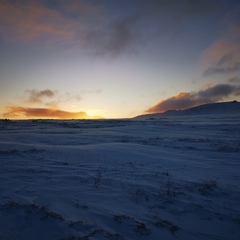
{"x":28,"y":21}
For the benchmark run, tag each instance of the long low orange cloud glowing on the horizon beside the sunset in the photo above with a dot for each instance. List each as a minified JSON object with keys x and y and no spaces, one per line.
{"x":19,"y":112}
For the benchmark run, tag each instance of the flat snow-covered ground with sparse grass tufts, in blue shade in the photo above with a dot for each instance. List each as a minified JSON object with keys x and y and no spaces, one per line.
{"x":167,"y":178}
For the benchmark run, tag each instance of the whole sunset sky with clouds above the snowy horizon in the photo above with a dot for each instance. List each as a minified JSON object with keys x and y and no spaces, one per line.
{"x":116,"y":58}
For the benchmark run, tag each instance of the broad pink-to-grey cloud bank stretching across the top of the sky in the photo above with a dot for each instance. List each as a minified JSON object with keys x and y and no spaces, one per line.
{"x":97,"y":27}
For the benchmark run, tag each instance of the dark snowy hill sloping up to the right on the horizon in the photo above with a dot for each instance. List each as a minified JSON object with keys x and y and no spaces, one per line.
{"x":206,"y":109}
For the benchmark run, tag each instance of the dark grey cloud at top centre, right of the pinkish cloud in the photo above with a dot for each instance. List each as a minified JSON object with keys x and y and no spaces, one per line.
{"x":125,"y":33}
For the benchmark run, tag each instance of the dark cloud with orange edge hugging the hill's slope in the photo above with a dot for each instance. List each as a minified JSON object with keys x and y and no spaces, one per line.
{"x":186,"y":100}
